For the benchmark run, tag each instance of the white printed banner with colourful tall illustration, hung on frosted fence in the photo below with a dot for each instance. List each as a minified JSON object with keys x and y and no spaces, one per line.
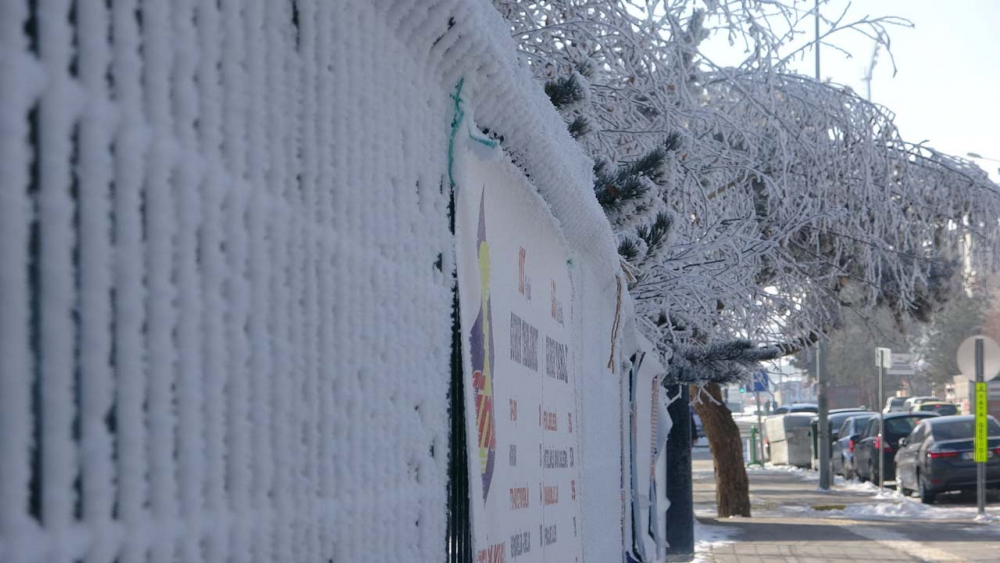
{"x":520,"y":385}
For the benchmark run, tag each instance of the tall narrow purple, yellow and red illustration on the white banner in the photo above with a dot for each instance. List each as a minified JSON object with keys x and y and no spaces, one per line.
{"x":481,"y":350}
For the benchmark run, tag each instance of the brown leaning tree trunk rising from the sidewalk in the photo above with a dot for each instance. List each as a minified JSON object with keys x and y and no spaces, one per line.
{"x":732,"y":488}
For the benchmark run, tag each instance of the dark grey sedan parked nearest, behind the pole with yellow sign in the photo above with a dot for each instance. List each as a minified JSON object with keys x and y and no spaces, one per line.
{"x":937,"y":456}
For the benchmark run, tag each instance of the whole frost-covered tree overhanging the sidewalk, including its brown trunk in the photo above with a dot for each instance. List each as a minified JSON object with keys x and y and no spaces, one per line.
{"x":754,"y":207}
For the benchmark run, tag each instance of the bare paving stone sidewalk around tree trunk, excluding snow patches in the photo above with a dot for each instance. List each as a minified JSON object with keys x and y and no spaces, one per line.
{"x":785,"y":527}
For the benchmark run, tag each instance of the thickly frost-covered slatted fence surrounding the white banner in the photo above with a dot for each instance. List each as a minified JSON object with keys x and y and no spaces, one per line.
{"x":226,"y":276}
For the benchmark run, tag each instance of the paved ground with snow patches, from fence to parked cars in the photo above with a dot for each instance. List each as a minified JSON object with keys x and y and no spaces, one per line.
{"x":794,"y":521}
